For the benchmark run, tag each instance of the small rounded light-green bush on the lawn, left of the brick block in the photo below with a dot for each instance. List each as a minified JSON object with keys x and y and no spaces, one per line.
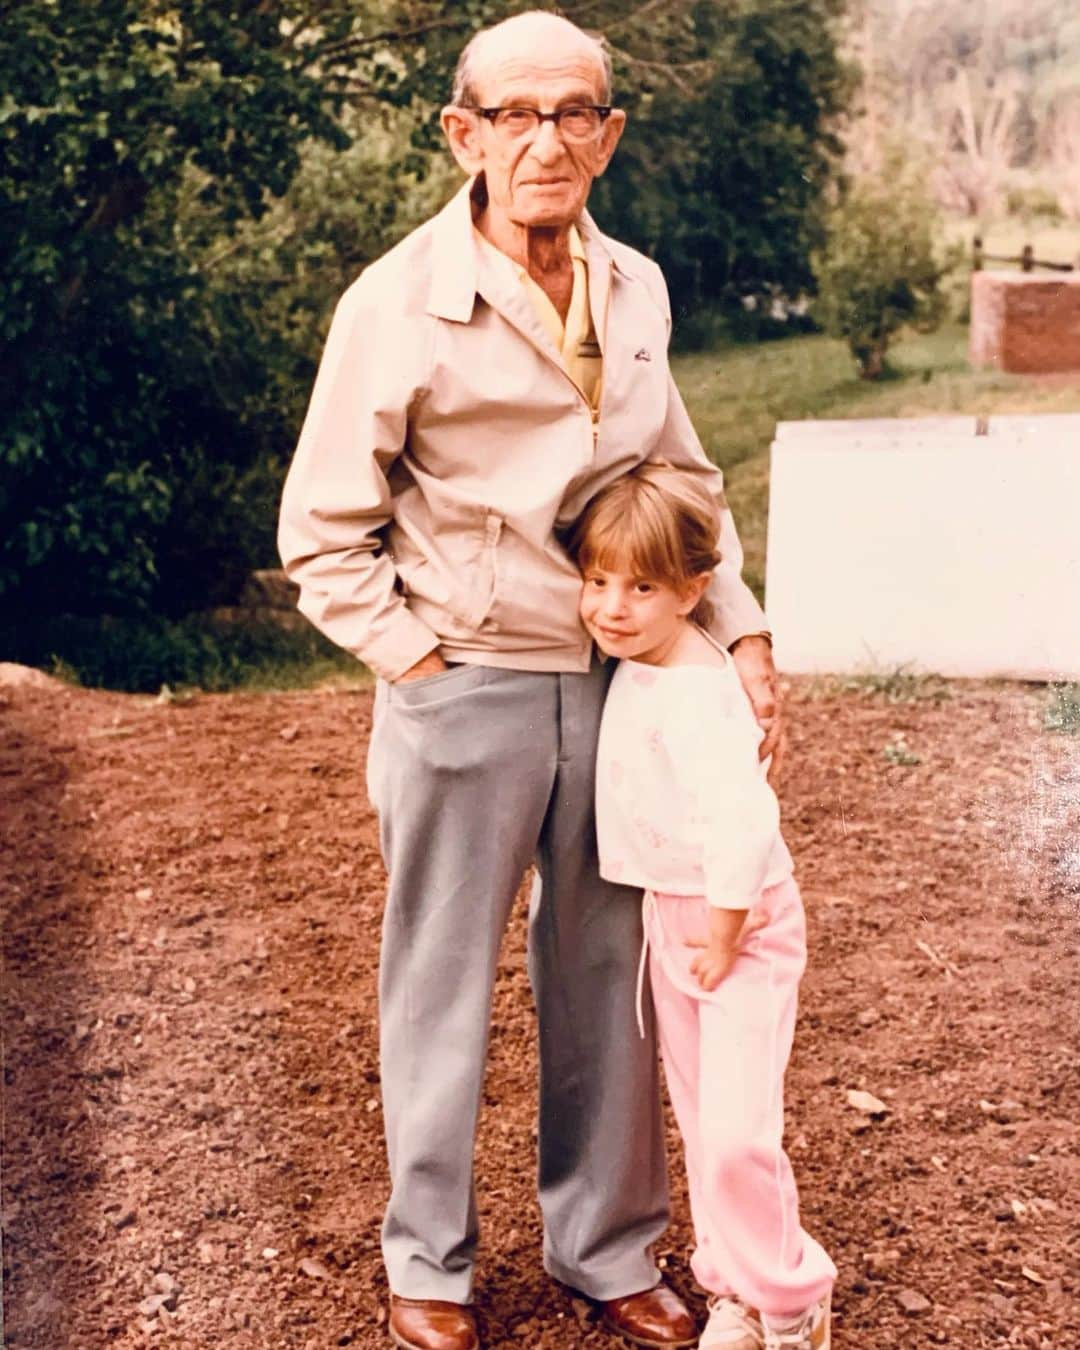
{"x":880,"y":269}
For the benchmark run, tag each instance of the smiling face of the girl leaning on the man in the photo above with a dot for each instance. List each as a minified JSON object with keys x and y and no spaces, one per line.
{"x":634,"y":618}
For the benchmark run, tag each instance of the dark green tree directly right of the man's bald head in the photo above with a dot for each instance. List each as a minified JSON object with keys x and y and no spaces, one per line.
{"x":731,"y":144}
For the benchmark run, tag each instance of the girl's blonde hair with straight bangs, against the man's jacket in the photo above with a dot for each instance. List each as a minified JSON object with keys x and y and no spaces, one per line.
{"x":657,"y":523}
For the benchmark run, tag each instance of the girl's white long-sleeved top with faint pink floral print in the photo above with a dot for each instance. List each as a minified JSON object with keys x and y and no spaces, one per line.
{"x":682,"y":801}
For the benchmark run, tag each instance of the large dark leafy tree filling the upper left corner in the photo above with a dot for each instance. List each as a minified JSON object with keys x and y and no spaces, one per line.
{"x":144,"y":391}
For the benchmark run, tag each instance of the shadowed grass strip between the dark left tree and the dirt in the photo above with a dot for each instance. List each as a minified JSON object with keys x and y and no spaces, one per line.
{"x":141,"y":655}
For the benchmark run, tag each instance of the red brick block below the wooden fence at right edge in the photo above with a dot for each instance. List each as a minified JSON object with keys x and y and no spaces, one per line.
{"x":1025,"y":323}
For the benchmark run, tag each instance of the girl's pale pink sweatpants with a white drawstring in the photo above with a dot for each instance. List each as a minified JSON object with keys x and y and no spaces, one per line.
{"x":726,"y":1056}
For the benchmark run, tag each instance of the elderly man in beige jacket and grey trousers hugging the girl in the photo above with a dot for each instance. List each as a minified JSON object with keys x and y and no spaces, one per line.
{"x":480,"y":384}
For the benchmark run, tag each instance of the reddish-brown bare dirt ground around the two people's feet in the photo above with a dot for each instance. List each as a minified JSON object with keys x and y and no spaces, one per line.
{"x":192,"y":1128}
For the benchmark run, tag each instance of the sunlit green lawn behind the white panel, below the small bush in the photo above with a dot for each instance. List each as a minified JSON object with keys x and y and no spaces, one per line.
{"x":736,"y":396}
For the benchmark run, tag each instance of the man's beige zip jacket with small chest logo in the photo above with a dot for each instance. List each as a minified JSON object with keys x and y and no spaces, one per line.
{"x":446,"y":449}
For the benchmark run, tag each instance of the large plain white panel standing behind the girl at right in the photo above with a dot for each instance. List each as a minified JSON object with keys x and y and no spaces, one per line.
{"x":920,"y":543}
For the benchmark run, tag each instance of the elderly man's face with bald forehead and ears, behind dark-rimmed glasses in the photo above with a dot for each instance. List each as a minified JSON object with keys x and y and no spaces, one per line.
{"x":541,"y":179}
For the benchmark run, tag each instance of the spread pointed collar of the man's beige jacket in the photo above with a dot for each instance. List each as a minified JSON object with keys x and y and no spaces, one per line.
{"x":460,"y":269}
